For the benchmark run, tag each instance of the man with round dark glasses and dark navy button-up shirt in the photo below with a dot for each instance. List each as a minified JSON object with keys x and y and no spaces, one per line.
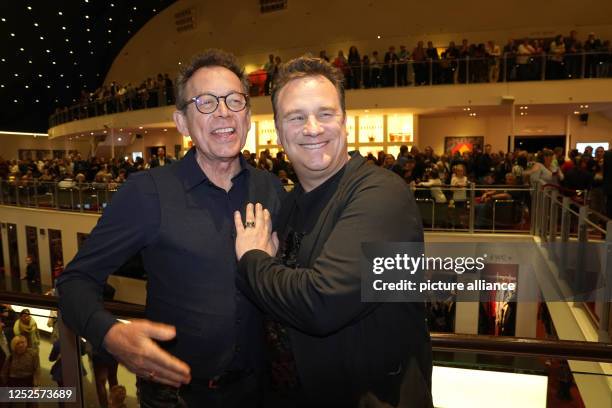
{"x":202,"y":342}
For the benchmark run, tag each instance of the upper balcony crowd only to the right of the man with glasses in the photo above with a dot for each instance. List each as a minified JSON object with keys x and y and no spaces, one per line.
{"x":526,"y":59}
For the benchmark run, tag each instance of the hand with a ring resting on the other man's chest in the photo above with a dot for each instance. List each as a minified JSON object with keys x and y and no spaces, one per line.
{"x":258,"y":235}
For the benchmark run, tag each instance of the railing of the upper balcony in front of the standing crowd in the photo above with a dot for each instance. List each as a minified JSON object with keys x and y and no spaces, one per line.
{"x":428,"y":71}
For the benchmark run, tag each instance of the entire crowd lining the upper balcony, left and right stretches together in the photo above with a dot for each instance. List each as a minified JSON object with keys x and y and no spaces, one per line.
{"x":561,"y":57}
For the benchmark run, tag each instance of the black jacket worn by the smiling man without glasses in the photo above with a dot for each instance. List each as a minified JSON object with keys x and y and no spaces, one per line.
{"x":344,"y":347}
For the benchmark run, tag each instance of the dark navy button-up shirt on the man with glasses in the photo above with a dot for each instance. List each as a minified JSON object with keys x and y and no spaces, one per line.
{"x":183,"y":226}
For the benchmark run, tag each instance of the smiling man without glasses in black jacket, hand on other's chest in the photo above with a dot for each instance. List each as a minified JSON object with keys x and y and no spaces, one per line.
{"x":331,"y":349}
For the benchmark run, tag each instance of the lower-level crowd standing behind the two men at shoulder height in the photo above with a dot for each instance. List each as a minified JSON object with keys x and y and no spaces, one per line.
{"x":580,"y":172}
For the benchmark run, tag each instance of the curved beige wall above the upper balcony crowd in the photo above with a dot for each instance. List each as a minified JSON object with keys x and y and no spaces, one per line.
{"x":243,"y":30}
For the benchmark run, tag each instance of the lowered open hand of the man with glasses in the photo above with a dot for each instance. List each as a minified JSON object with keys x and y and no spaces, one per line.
{"x":132,"y":345}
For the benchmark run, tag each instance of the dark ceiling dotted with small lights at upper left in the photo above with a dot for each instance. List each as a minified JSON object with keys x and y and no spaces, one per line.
{"x":51,"y":50}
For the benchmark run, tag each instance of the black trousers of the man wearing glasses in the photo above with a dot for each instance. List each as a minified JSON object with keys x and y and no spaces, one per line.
{"x":245,"y":393}
